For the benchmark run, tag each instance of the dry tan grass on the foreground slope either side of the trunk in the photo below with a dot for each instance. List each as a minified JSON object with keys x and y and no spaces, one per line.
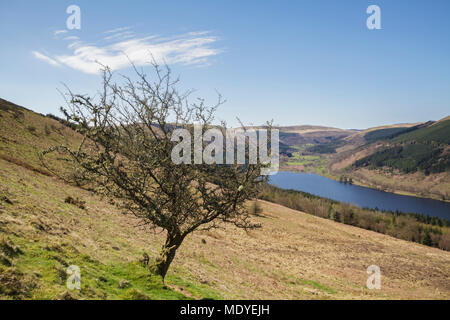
{"x":294,"y":256}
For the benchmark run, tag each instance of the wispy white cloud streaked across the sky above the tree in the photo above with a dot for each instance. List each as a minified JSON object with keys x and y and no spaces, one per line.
{"x":189,"y":49}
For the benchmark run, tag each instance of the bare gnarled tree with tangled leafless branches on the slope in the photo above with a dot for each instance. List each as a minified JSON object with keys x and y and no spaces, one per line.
{"x":126,"y":155}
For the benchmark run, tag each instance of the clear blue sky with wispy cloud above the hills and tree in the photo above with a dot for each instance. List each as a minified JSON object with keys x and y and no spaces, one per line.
{"x":293,"y":62}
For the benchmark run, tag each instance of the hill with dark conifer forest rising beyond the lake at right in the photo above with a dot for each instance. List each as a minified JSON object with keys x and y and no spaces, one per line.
{"x":414,"y":160}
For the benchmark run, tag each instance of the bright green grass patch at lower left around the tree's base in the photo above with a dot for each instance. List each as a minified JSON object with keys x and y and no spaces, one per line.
{"x":42,"y":269}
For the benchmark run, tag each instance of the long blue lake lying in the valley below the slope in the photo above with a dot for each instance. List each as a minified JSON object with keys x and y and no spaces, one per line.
{"x":363,"y":197}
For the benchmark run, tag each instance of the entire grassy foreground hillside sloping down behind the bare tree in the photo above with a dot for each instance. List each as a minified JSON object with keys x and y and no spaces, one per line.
{"x":47,"y":225}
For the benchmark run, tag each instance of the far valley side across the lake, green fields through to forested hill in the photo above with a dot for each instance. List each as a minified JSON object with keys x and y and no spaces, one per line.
{"x":412,"y":159}
